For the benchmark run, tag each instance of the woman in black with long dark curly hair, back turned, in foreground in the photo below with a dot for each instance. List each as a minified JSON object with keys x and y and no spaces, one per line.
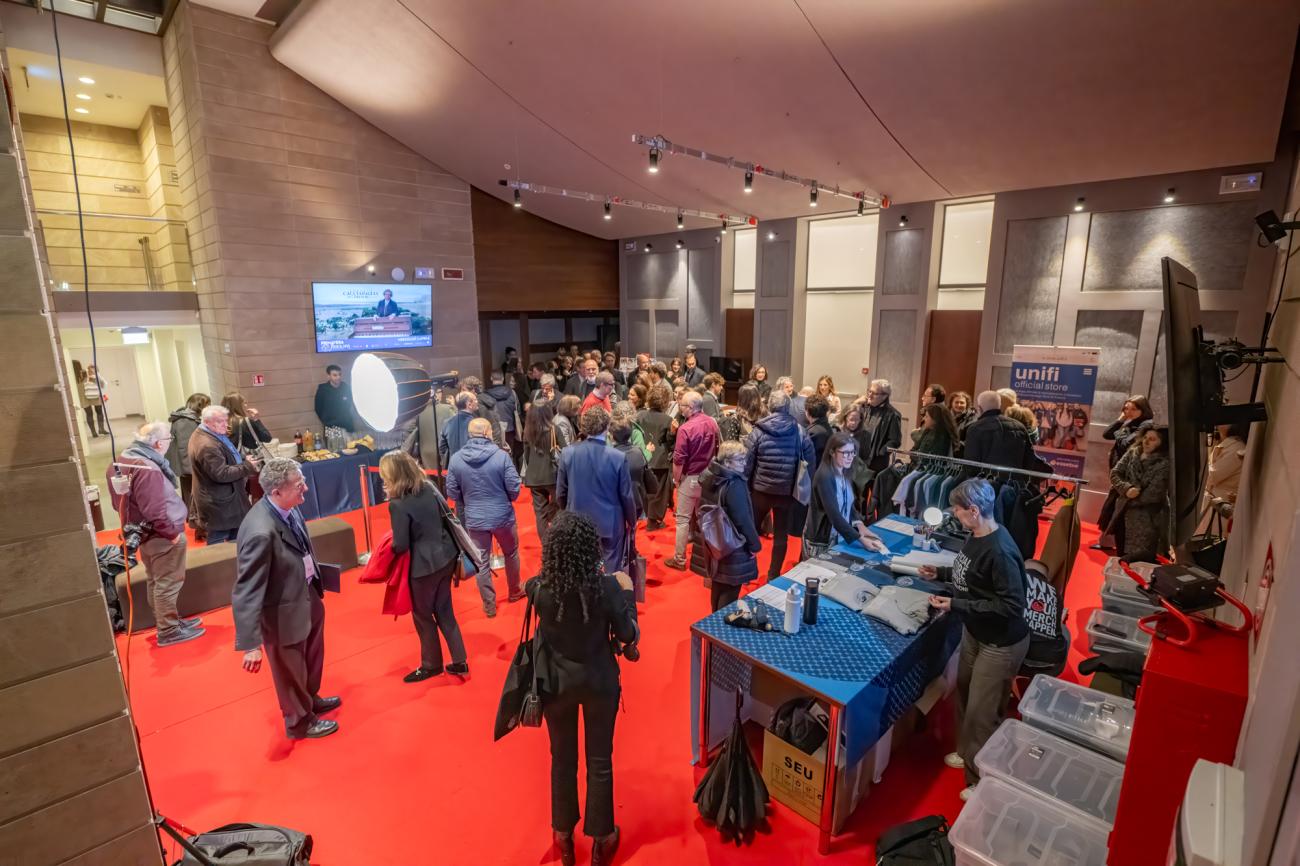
{"x":579,"y":608}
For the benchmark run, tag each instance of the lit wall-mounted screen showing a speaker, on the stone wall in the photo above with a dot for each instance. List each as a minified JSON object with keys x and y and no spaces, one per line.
{"x":367,"y":317}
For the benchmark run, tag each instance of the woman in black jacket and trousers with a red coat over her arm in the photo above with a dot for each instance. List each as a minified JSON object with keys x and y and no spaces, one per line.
{"x":419,"y":531}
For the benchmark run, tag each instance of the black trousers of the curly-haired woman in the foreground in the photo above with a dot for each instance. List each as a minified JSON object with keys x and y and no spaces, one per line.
{"x":599,"y":716}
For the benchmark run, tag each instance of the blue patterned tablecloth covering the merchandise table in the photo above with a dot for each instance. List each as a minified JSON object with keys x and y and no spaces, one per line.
{"x":850,"y":659}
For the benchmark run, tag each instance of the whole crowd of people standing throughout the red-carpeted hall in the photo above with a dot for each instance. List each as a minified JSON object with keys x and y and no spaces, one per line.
{"x":608,"y":453}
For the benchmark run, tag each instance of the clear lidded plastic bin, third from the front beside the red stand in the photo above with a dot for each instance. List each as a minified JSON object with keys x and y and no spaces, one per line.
{"x":1094,"y":720}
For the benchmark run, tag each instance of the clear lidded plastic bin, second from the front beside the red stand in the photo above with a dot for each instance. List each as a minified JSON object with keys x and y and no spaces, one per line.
{"x":1045,"y":764}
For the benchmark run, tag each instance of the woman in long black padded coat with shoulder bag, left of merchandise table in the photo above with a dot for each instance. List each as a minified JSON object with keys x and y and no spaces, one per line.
{"x":723,"y":484}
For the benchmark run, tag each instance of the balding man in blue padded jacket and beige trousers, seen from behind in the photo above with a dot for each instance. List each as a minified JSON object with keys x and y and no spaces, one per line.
{"x":483,"y":482}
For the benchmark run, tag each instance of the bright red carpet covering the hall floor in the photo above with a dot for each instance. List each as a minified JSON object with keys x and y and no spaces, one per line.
{"x":414,"y":777}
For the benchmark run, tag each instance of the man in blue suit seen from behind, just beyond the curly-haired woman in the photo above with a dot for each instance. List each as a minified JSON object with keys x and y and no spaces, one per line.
{"x":595,"y":480}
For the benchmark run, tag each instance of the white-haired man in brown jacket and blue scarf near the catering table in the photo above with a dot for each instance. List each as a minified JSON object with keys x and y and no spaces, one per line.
{"x":220,"y":477}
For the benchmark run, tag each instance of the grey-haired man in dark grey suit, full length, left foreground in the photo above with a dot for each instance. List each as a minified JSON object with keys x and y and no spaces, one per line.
{"x":278,"y":601}
